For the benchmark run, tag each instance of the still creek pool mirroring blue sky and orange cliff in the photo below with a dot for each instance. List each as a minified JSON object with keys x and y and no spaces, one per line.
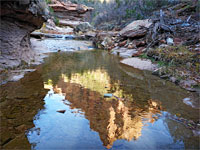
{"x":62,"y":106}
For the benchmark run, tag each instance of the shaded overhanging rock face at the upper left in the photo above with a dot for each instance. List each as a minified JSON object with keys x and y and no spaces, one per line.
{"x":18,"y":19}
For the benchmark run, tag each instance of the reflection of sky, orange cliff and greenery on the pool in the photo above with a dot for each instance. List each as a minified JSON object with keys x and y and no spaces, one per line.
{"x":79,"y":81}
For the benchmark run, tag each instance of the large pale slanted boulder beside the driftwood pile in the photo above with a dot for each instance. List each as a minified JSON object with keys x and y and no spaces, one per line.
{"x":135,"y":29}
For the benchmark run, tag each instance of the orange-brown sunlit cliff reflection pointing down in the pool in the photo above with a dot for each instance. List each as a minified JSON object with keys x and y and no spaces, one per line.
{"x":112,"y":119}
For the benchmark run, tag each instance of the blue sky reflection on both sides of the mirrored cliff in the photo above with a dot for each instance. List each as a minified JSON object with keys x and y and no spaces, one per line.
{"x":72,"y":131}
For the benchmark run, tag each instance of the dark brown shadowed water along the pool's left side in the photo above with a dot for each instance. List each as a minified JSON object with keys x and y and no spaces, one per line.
{"x":20,"y":102}
